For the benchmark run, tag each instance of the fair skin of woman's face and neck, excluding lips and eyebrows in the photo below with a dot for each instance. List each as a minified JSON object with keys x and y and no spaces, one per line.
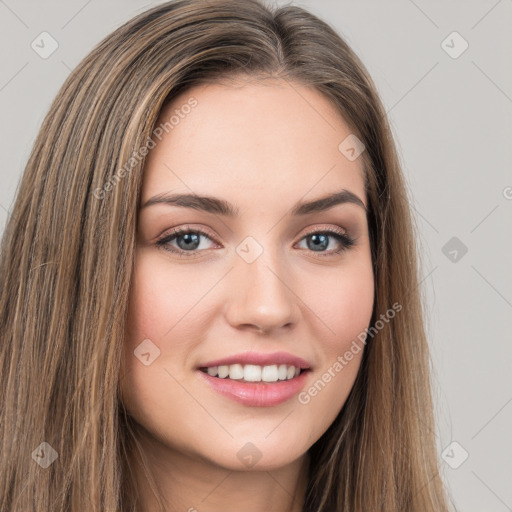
{"x":264,"y":147}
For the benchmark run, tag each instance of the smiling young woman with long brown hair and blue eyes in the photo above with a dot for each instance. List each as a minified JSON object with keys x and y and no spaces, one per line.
{"x":209,"y":282}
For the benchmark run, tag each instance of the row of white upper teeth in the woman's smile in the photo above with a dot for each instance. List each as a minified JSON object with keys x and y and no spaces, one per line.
{"x":254,"y":373}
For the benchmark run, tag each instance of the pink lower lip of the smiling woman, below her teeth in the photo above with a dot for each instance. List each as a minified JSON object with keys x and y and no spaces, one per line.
{"x":257,"y":394}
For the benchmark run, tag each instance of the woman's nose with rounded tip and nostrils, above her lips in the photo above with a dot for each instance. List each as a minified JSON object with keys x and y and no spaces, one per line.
{"x":261,"y":296}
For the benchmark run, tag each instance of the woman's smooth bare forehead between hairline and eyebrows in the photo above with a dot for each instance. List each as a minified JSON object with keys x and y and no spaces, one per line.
{"x":251,"y":136}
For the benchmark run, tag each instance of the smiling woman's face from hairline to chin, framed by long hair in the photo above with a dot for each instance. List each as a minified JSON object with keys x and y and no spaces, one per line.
{"x":265,"y":277}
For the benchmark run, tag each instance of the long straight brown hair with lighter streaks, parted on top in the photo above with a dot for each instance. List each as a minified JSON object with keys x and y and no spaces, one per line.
{"x":67,"y":257}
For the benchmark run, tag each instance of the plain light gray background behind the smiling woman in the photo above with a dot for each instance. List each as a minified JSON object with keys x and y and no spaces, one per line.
{"x":452,"y":118}
